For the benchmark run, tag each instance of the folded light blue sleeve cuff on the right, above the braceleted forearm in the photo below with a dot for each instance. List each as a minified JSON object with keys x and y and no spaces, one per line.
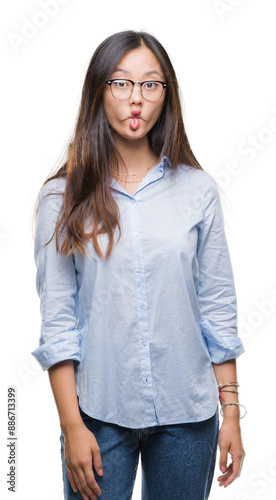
{"x":221,"y":348}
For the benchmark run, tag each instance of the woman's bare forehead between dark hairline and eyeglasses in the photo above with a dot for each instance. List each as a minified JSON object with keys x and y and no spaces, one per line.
{"x":141,"y":60}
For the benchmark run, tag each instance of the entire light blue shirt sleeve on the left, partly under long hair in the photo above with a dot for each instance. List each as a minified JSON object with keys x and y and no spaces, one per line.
{"x":56,"y":286}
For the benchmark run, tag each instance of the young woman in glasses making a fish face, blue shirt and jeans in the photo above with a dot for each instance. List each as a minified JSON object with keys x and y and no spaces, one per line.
{"x":137,"y":294}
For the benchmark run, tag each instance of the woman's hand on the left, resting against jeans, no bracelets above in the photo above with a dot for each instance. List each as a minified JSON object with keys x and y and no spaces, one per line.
{"x":81,"y":452}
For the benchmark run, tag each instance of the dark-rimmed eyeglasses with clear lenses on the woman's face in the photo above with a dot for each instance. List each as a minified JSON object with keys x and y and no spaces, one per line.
{"x":151,"y":90}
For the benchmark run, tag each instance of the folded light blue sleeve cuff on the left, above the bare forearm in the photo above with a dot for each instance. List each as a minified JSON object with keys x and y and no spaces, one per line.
{"x":53,"y":351}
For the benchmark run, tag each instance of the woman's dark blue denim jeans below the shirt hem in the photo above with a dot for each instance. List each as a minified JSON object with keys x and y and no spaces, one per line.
{"x":177,"y":460}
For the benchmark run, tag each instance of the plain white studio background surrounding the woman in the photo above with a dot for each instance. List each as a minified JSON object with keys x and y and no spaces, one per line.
{"x":224,"y":56}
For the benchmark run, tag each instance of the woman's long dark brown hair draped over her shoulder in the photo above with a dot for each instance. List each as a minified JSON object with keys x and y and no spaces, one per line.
{"x":92,"y":153}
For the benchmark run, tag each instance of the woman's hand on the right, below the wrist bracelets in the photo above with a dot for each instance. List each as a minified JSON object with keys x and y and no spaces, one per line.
{"x":230,"y":441}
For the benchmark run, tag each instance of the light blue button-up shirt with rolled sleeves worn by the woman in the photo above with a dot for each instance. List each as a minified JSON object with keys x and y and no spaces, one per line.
{"x":144,"y":326}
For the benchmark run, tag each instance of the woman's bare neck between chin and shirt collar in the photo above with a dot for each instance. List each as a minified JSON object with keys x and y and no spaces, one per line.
{"x":135,"y":154}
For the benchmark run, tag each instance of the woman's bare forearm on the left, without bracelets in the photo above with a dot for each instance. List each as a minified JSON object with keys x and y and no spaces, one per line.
{"x":63,"y":383}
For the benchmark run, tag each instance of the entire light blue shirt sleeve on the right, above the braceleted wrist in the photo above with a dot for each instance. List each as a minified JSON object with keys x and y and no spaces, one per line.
{"x":216,"y":289}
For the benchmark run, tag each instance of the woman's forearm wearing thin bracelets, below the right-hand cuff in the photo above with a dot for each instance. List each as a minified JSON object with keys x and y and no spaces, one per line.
{"x":227,"y":372}
